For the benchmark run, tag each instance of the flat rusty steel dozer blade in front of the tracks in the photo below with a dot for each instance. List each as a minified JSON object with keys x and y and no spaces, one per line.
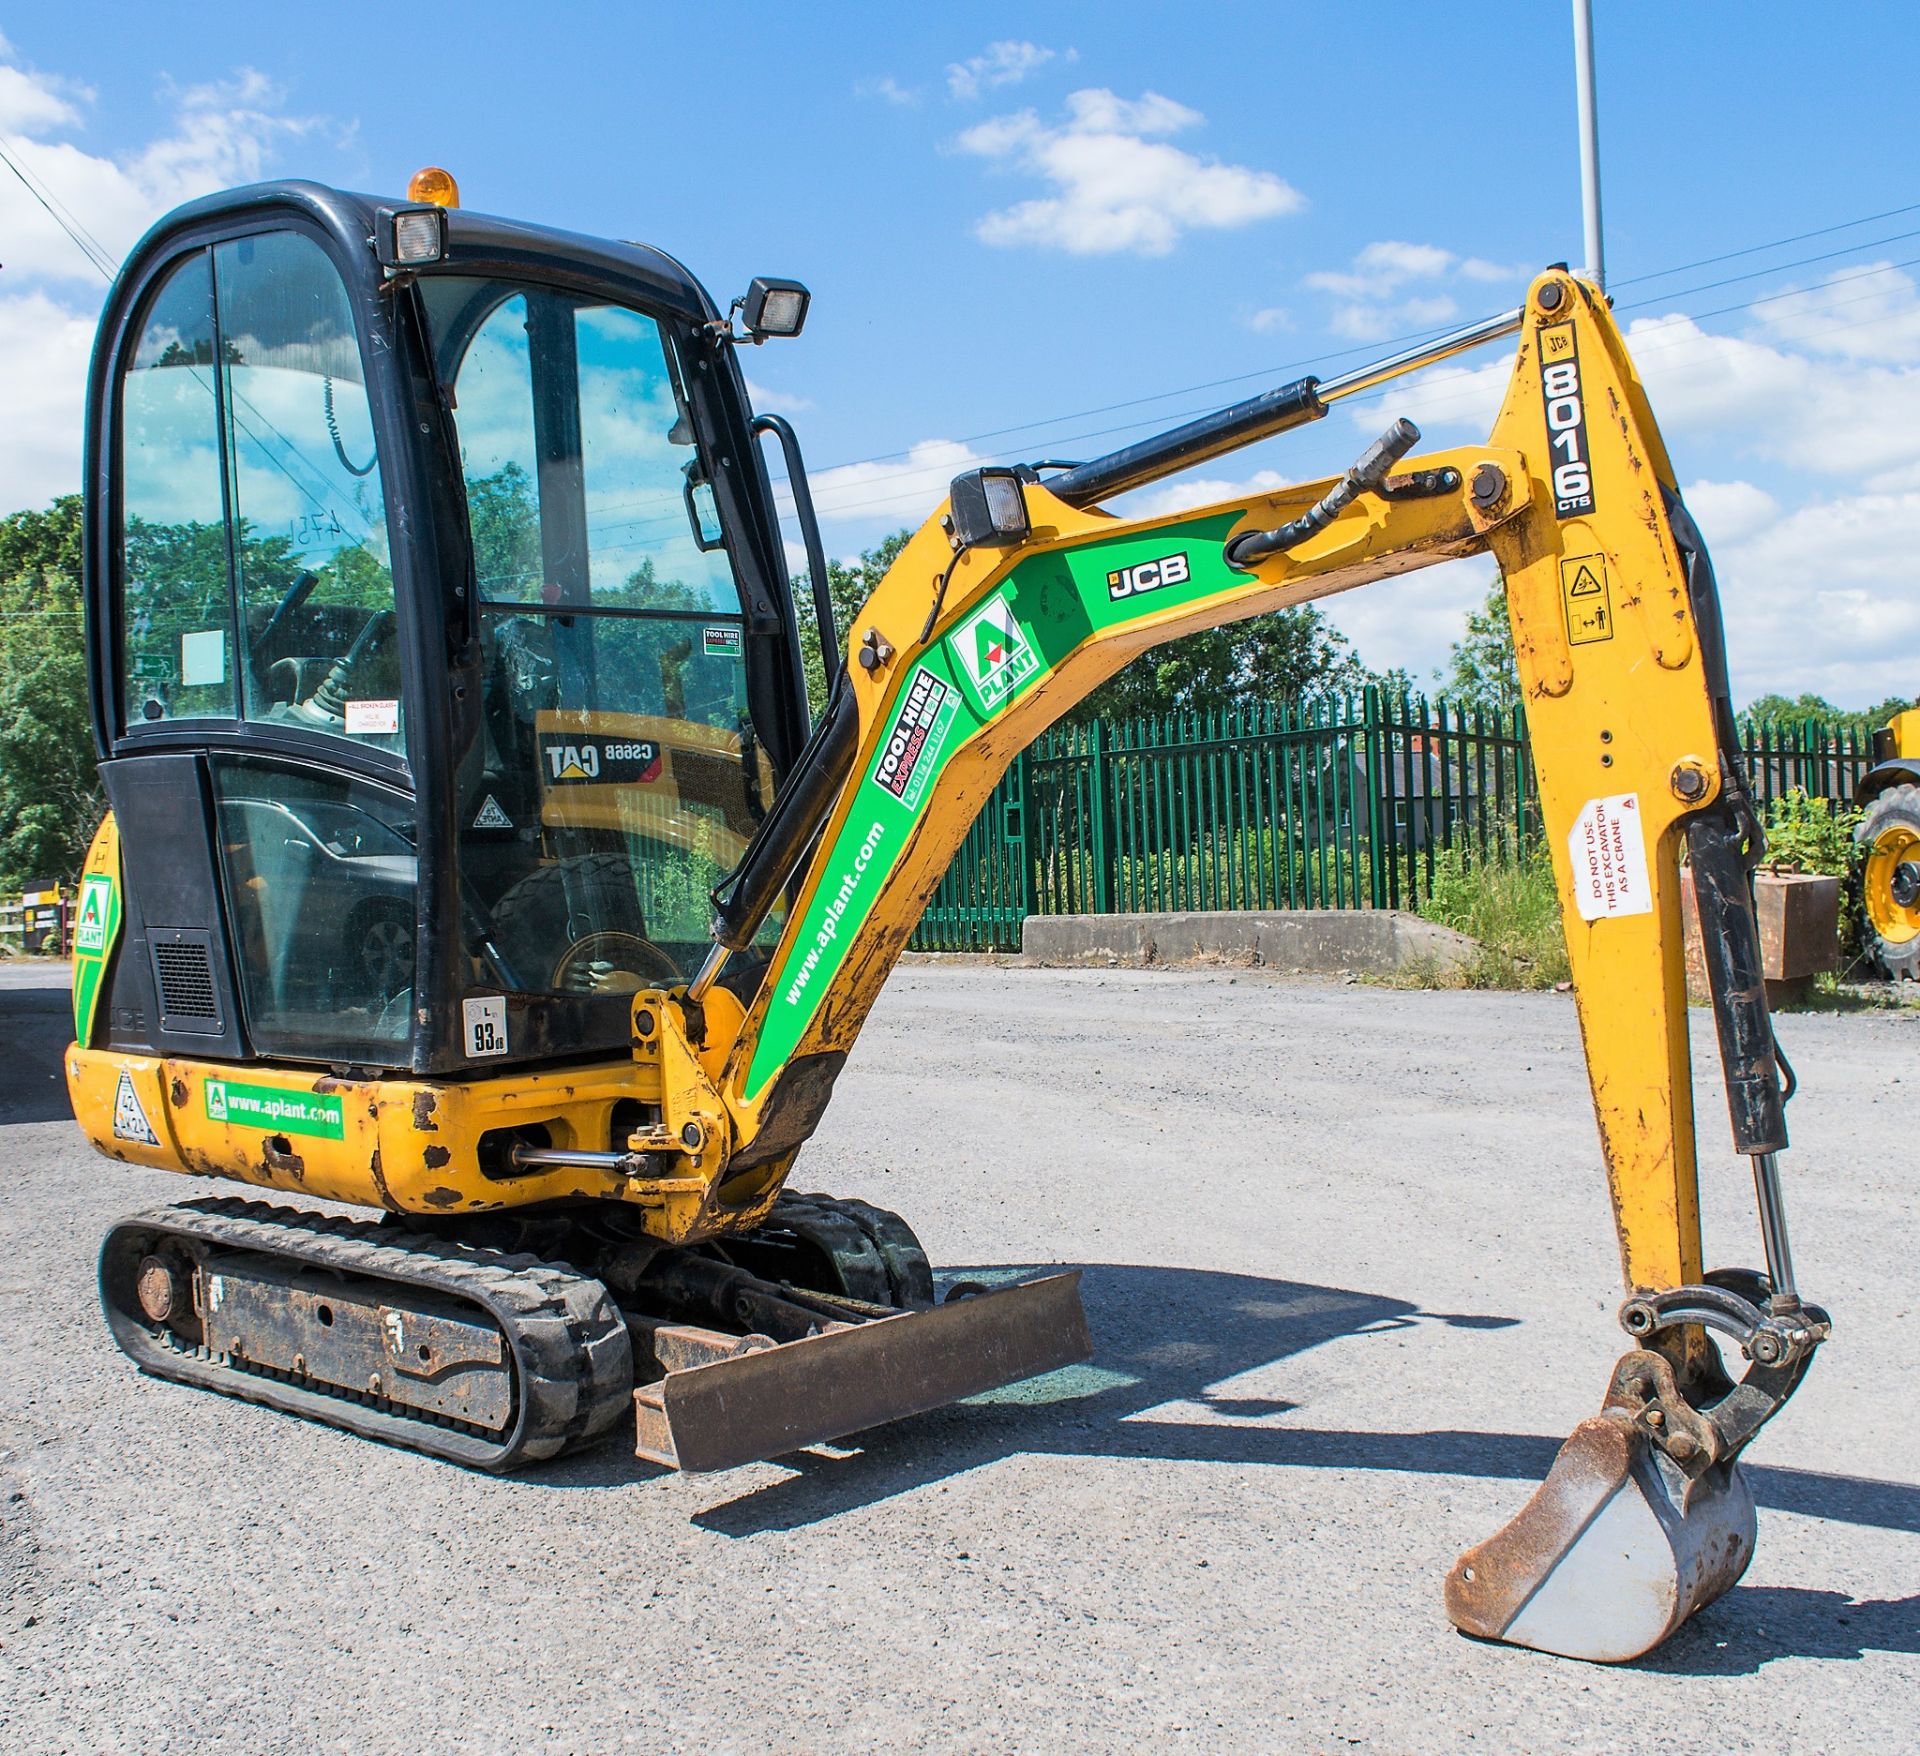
{"x":844,"y":1381}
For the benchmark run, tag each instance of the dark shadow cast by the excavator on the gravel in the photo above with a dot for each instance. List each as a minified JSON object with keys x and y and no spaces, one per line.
{"x":1172,"y":1342}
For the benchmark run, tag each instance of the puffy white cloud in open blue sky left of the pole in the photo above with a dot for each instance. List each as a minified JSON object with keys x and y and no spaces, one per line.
{"x":1116,"y":185}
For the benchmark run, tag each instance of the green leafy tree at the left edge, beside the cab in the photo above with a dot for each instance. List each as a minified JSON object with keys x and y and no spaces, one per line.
{"x":49,"y":786}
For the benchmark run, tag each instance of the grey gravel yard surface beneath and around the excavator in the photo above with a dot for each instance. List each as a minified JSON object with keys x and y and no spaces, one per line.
{"x":1351,"y":1275}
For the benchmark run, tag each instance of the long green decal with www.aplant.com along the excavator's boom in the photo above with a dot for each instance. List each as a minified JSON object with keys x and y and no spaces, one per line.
{"x":999,"y":652}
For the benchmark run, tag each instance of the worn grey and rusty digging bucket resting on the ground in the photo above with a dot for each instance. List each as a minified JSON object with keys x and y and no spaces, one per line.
{"x":1612,"y":1555}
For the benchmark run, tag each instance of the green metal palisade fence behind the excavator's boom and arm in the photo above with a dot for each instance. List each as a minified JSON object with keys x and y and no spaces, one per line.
{"x":1335,"y":803}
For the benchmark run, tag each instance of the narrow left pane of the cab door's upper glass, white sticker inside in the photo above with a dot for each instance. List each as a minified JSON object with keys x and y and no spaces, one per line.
{"x":176,"y":604}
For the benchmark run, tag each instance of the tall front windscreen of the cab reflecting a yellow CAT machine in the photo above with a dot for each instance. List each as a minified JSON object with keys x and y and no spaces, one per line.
{"x":619,"y":776}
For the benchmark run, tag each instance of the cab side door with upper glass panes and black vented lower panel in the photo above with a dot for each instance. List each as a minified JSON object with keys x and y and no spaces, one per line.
{"x":258,"y":711}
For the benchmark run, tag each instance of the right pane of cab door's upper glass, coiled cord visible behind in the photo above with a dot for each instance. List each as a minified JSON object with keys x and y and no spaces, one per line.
{"x":316,"y":584}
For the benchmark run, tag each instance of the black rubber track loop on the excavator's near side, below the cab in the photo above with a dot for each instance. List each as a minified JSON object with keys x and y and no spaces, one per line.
{"x":565,"y":1335}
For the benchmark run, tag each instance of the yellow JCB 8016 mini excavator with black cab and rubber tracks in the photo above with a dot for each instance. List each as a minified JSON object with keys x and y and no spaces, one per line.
{"x":477,"y":859}
